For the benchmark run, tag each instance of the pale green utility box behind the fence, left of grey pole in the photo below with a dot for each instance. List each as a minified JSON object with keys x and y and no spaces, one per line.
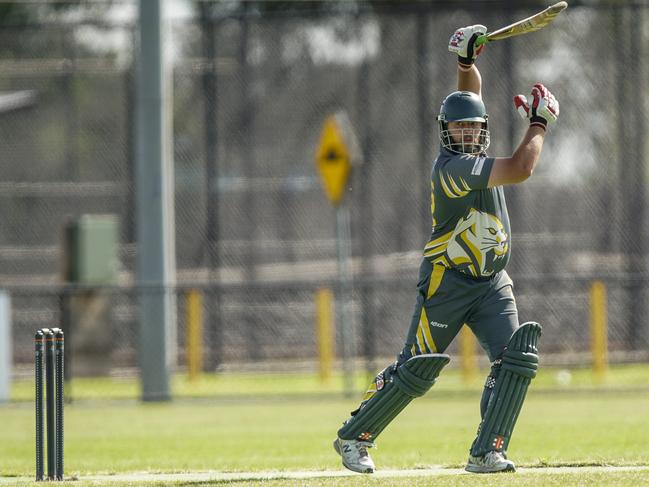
{"x":91,"y":250}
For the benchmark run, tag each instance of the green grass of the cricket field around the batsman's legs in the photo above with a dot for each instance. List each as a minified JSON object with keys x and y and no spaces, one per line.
{"x":286,"y":423}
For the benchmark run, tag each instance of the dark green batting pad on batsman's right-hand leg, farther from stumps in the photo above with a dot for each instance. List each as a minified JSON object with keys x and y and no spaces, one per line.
{"x":519,"y":365}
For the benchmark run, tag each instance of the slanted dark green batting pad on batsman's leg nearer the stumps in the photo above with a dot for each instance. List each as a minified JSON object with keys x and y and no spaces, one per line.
{"x":411,"y":379}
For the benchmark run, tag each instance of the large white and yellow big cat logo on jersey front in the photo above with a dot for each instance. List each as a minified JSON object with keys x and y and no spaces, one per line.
{"x":478,"y":243}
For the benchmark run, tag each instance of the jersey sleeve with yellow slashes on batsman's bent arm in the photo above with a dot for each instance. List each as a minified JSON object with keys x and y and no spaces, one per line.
{"x":463,"y":173}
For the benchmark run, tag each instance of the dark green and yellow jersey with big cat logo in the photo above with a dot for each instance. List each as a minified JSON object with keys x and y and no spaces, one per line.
{"x":470,"y":222}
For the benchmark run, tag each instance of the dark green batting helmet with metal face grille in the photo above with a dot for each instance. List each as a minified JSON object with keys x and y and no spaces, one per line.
{"x":463,"y":106}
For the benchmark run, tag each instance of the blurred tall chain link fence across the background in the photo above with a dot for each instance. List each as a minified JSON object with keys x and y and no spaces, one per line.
{"x":254,"y":231}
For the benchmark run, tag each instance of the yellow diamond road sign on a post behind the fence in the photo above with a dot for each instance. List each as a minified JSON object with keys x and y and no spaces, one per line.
{"x":333,"y":160}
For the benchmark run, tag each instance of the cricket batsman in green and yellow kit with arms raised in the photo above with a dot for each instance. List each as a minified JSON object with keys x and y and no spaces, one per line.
{"x":462,"y":278}
